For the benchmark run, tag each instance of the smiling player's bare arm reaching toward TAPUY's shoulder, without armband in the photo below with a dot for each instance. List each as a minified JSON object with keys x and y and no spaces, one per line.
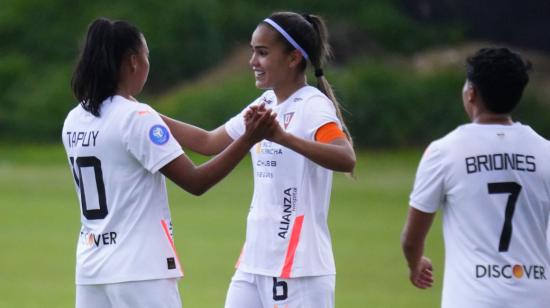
{"x":197,"y":139}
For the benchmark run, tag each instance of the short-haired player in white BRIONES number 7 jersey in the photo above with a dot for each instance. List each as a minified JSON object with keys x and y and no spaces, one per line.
{"x":491,"y":179}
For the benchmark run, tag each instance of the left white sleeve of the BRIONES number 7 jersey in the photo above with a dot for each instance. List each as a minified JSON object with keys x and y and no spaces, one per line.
{"x":428,"y":192}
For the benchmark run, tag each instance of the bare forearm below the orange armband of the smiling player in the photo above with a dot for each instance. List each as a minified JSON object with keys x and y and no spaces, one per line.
{"x":337,"y":155}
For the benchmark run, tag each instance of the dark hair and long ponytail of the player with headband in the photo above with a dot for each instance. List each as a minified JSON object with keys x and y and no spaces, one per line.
{"x":311,"y":33}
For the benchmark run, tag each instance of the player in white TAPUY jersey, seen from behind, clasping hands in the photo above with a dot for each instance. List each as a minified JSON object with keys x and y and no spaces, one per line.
{"x":118,"y":150}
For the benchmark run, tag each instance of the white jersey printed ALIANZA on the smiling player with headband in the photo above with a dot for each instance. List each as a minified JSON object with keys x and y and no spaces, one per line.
{"x":287,"y":233}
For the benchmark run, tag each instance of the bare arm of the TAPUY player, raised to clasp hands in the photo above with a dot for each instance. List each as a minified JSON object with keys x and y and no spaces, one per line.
{"x":198,"y":180}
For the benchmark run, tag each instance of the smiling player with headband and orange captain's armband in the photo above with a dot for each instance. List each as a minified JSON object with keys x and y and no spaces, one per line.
{"x":287,"y":258}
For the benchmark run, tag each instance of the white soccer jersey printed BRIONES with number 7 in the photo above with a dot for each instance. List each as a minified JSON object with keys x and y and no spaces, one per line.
{"x":492,"y":183}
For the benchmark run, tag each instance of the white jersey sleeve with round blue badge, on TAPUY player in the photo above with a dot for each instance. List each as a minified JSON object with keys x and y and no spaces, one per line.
{"x":149,"y":140}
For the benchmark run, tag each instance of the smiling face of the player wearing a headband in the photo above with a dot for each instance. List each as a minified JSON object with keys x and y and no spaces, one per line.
{"x":270,"y":61}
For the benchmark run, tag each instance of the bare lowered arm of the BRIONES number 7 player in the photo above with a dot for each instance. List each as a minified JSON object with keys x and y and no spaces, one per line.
{"x":412,"y":242}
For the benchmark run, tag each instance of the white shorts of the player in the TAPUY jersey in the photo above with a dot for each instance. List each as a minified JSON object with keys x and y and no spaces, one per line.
{"x":162,"y":293}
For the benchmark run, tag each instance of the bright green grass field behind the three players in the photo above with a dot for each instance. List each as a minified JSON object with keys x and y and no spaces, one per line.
{"x":39,"y":222}
